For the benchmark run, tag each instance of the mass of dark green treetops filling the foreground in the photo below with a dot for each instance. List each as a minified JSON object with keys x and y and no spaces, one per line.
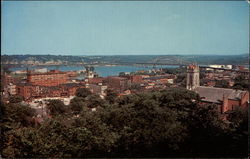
{"x":169,"y":123}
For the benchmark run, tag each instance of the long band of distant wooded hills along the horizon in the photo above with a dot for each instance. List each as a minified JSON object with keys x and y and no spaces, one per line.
{"x":168,"y":59}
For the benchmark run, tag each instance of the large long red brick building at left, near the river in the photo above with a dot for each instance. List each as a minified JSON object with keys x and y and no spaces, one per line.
{"x":52,"y":78}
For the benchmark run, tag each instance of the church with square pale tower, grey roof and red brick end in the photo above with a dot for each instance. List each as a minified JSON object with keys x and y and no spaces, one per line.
{"x":226,"y":99}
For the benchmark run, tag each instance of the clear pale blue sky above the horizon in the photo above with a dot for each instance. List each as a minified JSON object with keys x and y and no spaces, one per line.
{"x":125,"y":27}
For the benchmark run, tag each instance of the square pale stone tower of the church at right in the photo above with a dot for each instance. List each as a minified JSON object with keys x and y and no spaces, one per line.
{"x":193,"y":77}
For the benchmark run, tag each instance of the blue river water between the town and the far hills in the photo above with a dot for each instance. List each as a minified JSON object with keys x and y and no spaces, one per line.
{"x":102,"y":71}
